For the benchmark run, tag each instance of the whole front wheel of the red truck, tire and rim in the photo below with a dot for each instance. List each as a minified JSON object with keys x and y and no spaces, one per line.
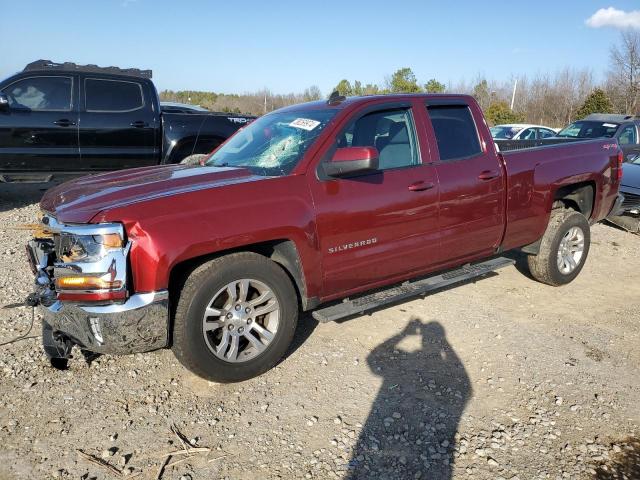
{"x":235,"y":318}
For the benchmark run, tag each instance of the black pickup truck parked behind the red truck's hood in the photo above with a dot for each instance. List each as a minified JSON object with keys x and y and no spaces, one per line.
{"x":63,"y":119}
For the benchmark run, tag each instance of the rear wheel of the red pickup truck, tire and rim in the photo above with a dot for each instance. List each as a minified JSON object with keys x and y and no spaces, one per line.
{"x":563,"y":250}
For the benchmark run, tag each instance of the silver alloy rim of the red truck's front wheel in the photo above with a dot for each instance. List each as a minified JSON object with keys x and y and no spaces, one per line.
{"x":241,"y":320}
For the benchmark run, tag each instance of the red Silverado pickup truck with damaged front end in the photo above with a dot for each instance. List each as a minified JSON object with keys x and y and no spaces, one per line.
{"x":306,"y":206}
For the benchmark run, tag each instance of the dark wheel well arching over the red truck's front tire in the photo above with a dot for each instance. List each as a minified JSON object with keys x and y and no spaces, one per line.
{"x":283,"y":252}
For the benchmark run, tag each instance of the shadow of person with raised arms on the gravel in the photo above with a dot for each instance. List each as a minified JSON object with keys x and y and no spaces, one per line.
{"x":411,"y":428}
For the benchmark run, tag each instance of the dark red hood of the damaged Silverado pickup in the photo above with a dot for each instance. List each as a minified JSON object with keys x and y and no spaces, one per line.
{"x":78,"y":201}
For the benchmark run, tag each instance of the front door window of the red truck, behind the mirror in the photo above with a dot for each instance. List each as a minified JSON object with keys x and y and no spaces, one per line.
{"x":391,"y":132}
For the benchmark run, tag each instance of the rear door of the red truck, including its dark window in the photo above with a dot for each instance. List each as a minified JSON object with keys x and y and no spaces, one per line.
{"x":471,"y":183}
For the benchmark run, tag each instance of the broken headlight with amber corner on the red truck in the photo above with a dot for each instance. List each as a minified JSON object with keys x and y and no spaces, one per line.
{"x":87,"y":248}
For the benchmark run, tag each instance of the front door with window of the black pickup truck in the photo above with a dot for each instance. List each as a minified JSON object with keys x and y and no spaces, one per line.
{"x":39,"y":130}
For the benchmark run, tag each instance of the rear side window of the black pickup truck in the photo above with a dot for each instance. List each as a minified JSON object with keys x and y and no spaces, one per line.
{"x":112,"y":95}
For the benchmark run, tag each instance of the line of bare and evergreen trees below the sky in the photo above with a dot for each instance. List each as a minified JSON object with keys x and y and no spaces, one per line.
{"x":548,"y":99}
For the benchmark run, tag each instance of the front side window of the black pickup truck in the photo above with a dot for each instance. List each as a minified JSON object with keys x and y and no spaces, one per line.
{"x":40,"y":94}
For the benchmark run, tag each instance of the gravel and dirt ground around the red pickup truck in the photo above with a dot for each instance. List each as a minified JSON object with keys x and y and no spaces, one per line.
{"x":499,"y":378}
